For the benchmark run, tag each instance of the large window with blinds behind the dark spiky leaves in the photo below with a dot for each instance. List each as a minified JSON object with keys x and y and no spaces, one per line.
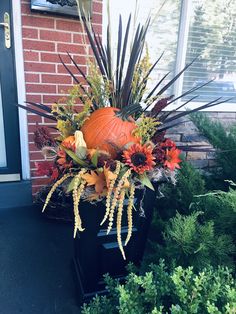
{"x":184,"y":30}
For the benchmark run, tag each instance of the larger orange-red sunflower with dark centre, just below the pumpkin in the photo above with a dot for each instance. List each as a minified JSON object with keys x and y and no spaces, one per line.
{"x":139,"y":158}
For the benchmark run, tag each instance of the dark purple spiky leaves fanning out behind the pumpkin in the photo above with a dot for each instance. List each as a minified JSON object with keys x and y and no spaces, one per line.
{"x":117,"y":84}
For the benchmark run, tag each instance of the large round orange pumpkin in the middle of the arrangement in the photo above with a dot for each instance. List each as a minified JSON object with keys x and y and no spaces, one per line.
{"x":105,"y":130}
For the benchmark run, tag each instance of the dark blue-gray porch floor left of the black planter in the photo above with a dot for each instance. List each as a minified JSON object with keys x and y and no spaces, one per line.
{"x":36,"y":275}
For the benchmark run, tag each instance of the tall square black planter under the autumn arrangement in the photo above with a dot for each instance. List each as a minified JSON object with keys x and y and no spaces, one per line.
{"x":97,"y":253}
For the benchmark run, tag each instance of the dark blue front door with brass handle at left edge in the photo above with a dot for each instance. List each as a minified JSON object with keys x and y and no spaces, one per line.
{"x":10,"y":163}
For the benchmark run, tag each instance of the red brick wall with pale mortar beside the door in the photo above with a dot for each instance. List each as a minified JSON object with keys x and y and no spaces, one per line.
{"x":44,"y":37}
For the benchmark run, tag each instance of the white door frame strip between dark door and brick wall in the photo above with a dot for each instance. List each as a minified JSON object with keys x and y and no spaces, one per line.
{"x":20,"y":81}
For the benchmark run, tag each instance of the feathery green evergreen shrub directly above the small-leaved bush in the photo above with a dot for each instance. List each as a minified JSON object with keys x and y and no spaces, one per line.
{"x":189,"y":242}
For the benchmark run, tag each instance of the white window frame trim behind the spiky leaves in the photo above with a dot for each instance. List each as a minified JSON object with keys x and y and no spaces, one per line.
{"x":180,"y":58}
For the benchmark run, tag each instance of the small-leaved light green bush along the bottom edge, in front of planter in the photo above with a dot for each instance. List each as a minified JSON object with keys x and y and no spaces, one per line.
{"x":159,"y":291}
